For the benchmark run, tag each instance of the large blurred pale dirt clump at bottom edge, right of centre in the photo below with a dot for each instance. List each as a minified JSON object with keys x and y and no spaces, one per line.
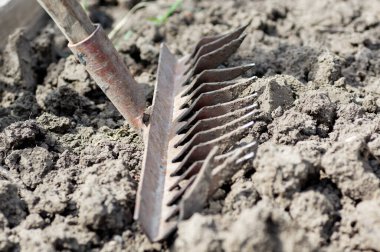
{"x":266,"y":227}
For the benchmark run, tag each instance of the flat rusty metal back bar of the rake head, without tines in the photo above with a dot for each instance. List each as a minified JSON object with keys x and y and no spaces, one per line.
{"x":150,"y":195}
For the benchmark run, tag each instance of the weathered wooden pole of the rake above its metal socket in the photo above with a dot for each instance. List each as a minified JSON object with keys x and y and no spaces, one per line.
{"x":70,"y":17}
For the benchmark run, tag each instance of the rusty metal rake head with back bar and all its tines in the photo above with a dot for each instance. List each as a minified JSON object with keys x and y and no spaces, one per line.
{"x":195,"y":108}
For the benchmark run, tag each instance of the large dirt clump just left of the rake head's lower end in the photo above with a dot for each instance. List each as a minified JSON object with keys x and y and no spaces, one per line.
{"x":102,"y":207}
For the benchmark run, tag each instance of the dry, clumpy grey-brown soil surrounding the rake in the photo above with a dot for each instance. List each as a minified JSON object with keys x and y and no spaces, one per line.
{"x":69,"y":165}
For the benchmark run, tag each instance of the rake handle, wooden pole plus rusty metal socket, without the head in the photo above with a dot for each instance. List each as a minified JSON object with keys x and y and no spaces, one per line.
{"x":95,"y":51}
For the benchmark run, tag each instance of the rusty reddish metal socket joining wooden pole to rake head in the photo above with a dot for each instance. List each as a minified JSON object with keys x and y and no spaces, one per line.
{"x":107,"y":68}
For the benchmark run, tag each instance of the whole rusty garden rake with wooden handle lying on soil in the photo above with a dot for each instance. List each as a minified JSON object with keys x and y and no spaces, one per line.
{"x":198,"y":117}
